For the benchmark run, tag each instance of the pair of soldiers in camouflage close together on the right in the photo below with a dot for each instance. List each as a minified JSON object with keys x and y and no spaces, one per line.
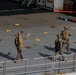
{"x":61,"y":41}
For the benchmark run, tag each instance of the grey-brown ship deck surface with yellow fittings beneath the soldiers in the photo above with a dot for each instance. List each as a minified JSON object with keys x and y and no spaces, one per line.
{"x":43,"y":26}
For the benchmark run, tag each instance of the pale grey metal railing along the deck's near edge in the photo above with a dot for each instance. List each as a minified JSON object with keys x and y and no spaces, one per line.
{"x":39,"y":65}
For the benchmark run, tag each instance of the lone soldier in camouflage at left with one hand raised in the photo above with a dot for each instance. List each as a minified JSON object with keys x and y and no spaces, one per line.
{"x":19,"y":44}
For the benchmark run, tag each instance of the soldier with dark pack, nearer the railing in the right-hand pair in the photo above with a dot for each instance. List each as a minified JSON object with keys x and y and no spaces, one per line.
{"x":58,"y":47}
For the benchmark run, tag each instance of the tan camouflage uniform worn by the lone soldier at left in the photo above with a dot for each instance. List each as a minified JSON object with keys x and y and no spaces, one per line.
{"x":19,"y":45}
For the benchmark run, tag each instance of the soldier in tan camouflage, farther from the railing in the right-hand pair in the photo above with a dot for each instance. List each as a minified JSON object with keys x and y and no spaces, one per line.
{"x":65,"y":36}
